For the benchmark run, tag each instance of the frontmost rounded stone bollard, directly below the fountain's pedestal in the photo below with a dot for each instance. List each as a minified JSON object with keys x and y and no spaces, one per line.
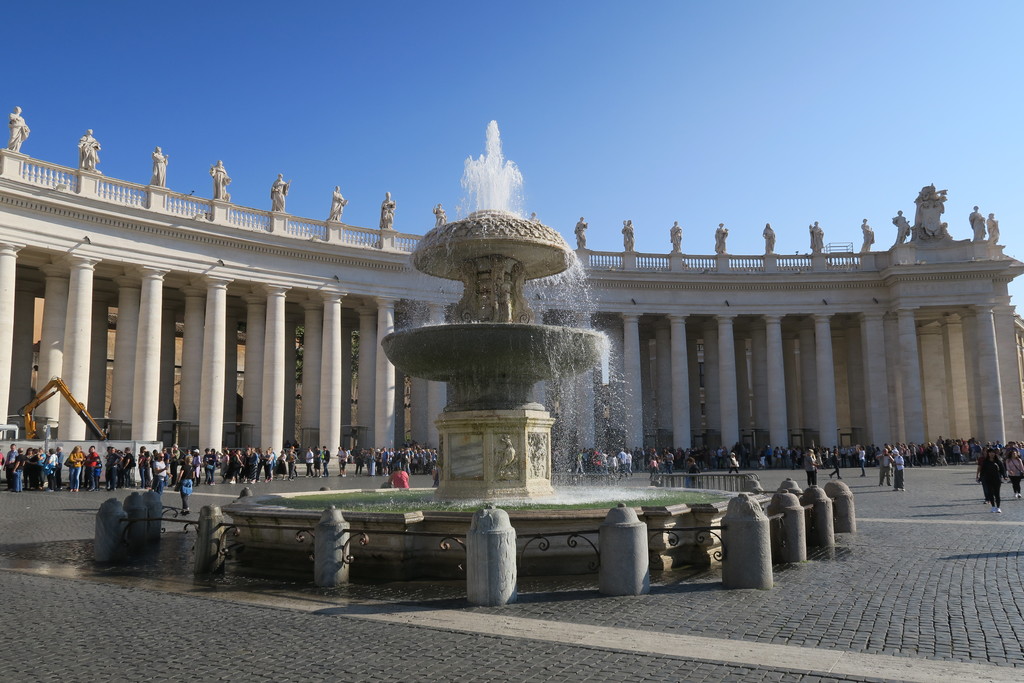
{"x":491,"y":569}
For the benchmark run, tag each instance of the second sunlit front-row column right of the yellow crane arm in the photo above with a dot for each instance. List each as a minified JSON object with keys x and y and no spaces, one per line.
{"x":211,"y":419}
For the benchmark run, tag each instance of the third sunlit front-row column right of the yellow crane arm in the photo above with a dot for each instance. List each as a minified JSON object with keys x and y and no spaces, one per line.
{"x":273,"y":415}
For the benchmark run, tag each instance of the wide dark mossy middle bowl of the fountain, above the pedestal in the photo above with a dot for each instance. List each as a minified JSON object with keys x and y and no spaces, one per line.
{"x":522,"y":353}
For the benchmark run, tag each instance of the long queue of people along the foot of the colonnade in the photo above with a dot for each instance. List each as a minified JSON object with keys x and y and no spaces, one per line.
{"x":39,"y":469}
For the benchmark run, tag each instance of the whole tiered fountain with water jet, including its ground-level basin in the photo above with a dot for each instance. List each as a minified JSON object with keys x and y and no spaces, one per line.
{"x":495,"y":441}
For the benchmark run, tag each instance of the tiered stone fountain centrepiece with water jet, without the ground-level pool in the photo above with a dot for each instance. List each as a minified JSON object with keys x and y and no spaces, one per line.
{"x":496,"y":443}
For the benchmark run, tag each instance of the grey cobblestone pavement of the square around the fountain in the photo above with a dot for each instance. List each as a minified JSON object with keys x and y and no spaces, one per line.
{"x":931,"y":576}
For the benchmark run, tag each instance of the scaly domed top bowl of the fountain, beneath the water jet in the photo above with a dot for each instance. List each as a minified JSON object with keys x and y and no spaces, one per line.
{"x":443,"y":251}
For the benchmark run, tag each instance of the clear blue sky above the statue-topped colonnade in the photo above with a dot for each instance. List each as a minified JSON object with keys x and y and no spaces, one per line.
{"x":741,"y":113}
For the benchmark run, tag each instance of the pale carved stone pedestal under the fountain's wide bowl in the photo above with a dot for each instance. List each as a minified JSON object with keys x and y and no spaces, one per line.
{"x":517,"y":454}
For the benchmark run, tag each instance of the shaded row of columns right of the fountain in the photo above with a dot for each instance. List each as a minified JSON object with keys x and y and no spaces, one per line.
{"x":910,"y":375}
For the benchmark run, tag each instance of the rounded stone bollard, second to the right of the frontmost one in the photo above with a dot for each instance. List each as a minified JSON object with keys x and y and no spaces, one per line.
{"x":746,"y":545}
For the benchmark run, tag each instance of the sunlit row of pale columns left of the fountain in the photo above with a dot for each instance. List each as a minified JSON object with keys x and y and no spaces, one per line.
{"x":145,"y":362}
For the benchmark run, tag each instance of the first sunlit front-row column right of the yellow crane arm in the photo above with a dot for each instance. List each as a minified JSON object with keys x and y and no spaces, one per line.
{"x":146,"y":404}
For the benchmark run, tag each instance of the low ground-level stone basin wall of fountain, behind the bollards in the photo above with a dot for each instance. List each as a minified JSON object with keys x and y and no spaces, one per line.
{"x":407,"y":546}
